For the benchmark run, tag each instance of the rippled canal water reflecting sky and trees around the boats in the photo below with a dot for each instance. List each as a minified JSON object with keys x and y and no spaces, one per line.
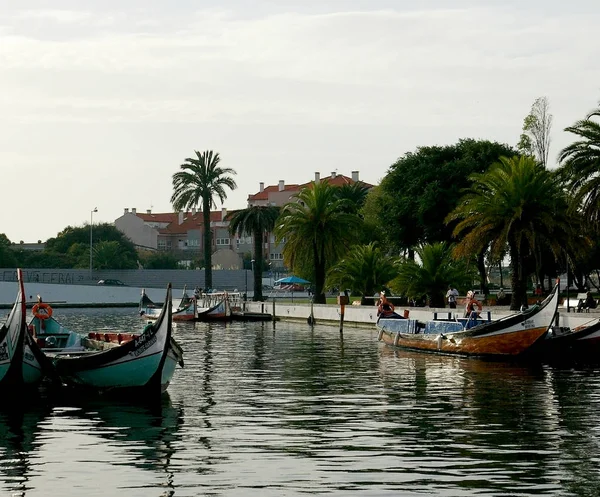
{"x":288,"y":410}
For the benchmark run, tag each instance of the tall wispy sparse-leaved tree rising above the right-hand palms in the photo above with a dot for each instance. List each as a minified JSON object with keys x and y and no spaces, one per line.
{"x":535,"y":139}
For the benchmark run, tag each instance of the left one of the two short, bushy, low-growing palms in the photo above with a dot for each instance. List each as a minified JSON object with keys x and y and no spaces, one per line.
{"x":363,"y":270}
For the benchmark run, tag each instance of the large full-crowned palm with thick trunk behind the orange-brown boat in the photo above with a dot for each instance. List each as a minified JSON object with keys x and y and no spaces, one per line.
{"x":515,"y":204}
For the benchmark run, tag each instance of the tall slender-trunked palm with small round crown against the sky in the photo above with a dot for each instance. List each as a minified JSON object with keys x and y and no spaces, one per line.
{"x":198,"y":182}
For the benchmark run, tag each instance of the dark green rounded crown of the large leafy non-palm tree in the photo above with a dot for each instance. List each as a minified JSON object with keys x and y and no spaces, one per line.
{"x":423,"y":186}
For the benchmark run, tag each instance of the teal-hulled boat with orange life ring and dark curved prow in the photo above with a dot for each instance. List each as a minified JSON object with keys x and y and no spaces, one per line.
{"x":138,"y":362}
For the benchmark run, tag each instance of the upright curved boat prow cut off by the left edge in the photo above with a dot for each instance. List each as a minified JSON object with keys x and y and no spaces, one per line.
{"x":12,"y":339}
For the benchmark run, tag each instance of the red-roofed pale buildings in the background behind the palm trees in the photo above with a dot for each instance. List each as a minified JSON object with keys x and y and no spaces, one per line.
{"x":181,"y":233}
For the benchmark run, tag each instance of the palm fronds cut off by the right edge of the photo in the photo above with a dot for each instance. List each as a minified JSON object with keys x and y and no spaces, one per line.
{"x":580,"y":167}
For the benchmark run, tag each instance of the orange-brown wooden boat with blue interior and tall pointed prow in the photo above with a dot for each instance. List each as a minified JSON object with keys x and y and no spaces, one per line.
{"x":509,"y":336}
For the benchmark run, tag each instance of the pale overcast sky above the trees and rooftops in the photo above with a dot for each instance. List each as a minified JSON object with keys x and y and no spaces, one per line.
{"x":101,"y":101}
